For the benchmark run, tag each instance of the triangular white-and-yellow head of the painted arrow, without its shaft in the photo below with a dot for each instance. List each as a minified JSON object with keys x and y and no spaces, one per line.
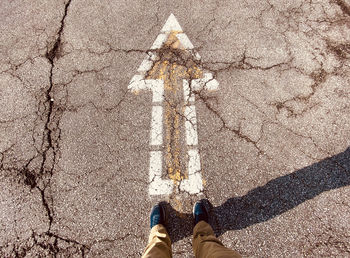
{"x":171,"y":53}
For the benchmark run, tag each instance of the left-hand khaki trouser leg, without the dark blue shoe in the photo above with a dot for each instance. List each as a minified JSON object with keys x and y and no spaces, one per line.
{"x":159,"y":243}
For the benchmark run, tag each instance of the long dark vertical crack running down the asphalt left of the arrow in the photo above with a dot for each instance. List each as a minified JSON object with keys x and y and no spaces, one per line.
{"x":48,"y":242}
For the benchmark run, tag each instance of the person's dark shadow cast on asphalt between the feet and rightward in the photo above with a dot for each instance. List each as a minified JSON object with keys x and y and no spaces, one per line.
{"x":266,"y":202}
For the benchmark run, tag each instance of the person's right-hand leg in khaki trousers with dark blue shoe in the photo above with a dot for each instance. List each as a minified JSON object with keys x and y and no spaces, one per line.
{"x":205,"y":244}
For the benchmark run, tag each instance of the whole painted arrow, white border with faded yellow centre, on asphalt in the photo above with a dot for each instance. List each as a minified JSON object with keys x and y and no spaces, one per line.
{"x":173,"y":108}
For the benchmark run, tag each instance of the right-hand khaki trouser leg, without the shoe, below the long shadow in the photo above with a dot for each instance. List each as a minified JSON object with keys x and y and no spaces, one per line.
{"x":206,"y":245}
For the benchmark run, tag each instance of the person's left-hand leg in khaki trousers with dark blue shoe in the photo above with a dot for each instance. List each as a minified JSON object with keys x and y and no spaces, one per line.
{"x":159,"y":243}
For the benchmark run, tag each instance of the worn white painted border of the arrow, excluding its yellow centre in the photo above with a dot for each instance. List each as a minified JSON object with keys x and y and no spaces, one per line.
{"x":193,"y":184}
